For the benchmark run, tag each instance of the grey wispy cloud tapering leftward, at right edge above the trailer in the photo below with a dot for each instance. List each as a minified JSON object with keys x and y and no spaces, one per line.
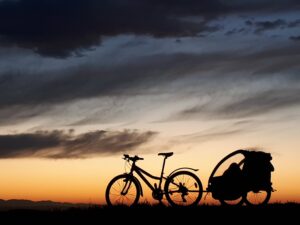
{"x":243,"y":107}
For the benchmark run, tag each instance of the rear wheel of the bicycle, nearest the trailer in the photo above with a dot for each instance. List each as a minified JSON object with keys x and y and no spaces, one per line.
{"x":183,"y":188}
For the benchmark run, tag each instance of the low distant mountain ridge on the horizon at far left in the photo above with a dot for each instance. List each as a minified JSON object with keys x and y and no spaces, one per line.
{"x":40,"y":205}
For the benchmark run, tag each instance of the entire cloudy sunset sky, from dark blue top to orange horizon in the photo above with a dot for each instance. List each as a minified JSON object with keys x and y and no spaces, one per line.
{"x":84,"y":81}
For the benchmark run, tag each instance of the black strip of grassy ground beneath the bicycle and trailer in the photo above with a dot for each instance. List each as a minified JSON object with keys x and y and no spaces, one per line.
{"x":156,"y":214}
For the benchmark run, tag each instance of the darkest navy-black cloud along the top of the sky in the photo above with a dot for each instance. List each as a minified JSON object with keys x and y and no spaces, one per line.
{"x":60,"y":28}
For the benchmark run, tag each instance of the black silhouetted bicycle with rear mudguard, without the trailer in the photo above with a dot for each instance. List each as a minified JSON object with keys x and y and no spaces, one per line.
{"x":182,"y":187}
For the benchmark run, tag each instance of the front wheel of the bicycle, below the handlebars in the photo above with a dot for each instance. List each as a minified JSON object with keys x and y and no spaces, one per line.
{"x":122,"y":190}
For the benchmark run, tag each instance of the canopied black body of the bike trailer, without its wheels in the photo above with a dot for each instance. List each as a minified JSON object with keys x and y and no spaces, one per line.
{"x":253,"y":173}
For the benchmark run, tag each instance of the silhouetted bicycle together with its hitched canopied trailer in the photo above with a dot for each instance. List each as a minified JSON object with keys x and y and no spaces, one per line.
{"x":246,"y":180}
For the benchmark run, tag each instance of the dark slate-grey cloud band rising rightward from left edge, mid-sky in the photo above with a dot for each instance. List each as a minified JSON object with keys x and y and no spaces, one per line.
{"x":91,"y":81}
